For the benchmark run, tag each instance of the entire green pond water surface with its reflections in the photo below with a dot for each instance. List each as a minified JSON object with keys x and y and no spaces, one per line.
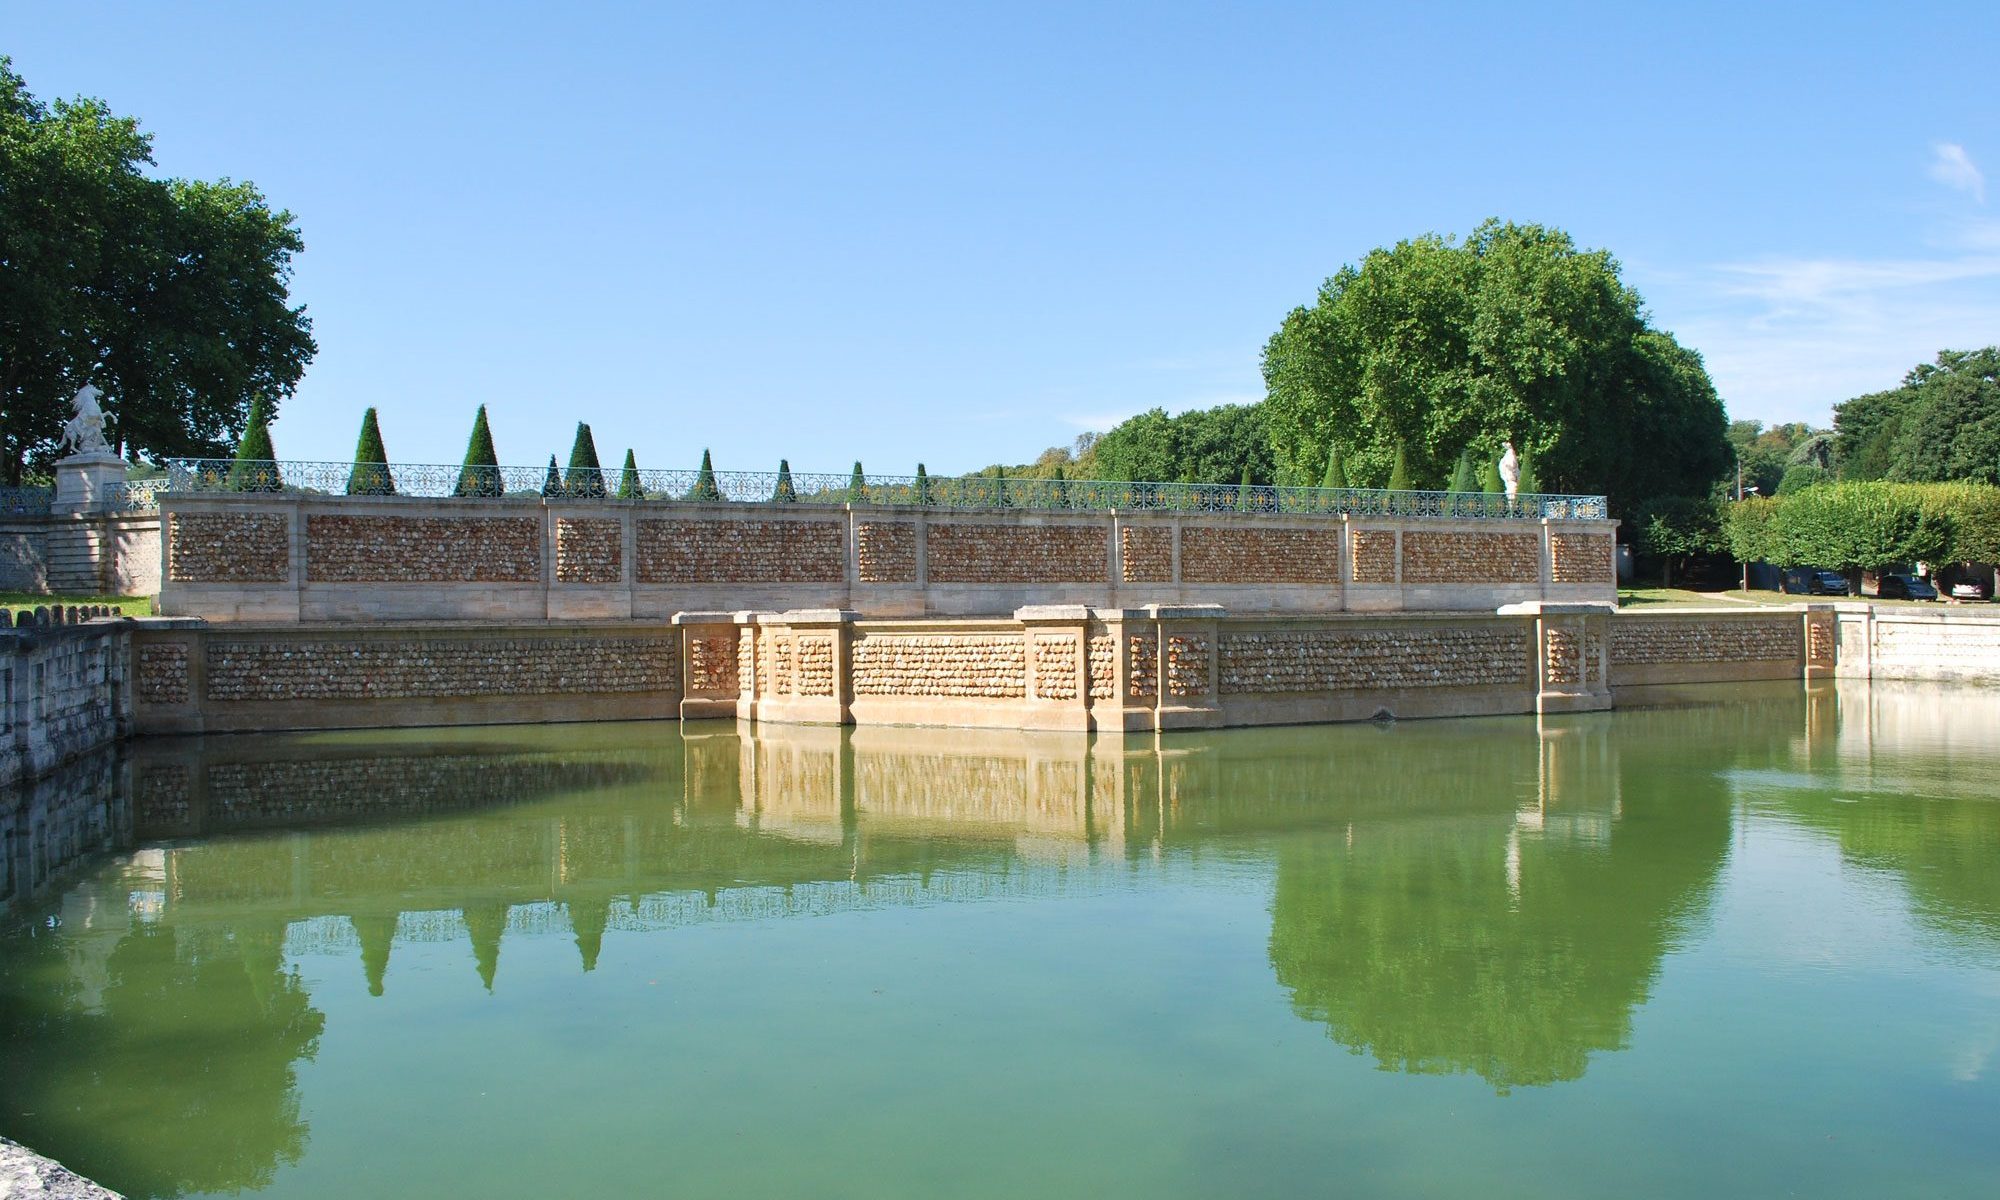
{"x":1741,"y":949}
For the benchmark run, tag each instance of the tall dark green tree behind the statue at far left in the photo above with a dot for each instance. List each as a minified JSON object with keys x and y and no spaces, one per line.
{"x":171,"y":295}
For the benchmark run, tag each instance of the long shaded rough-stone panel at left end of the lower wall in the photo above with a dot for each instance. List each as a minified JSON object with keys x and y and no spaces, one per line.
{"x":349,"y":669}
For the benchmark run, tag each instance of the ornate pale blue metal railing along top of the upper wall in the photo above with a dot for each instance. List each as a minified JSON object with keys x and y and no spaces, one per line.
{"x":807,"y":489}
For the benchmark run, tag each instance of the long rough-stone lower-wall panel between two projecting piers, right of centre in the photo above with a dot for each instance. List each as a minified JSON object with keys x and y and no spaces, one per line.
{"x":1325,"y":661}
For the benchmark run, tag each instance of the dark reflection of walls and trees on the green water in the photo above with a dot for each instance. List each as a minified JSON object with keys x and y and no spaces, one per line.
{"x":1487,"y":897}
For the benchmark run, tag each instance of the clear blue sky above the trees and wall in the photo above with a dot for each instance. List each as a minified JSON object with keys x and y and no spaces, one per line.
{"x":951,"y":235}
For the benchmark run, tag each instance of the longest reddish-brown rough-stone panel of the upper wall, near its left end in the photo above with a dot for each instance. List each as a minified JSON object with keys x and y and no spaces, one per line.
{"x":423,"y":549}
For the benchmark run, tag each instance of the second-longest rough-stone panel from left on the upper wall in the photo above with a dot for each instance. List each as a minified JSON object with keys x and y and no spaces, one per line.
{"x":741,"y":553}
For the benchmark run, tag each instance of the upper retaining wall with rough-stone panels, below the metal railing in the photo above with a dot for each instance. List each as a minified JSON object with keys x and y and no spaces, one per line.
{"x":349,"y":559}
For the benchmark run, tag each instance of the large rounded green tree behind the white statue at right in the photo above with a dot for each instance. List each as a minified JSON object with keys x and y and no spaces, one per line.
{"x":1513,"y":335}
